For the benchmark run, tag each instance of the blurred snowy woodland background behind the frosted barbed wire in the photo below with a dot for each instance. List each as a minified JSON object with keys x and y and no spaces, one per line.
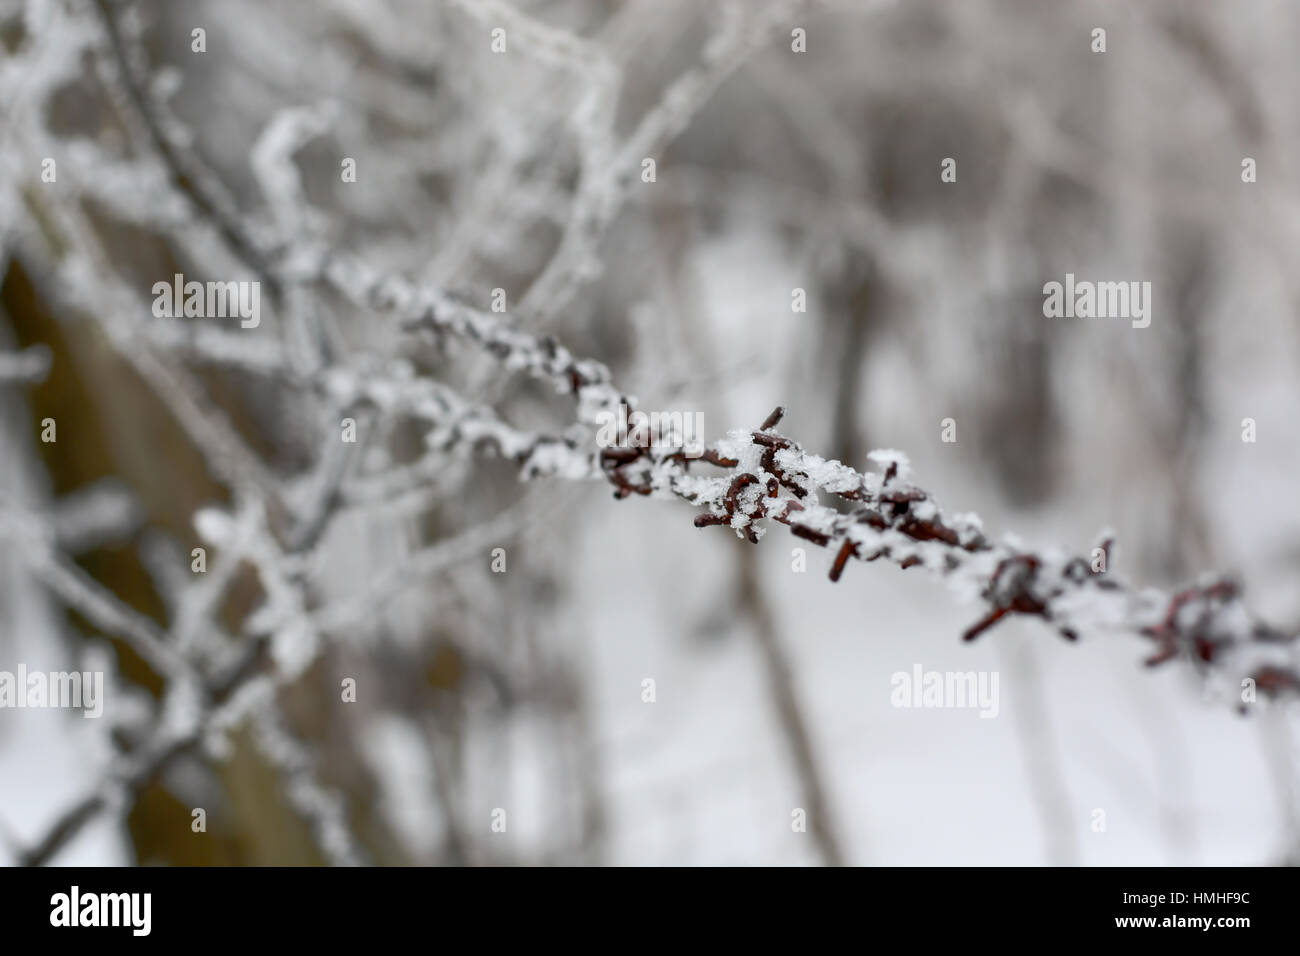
{"x":522,"y":170}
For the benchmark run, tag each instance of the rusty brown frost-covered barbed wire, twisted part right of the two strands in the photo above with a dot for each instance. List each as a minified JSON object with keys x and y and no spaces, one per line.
{"x":773,"y":478}
